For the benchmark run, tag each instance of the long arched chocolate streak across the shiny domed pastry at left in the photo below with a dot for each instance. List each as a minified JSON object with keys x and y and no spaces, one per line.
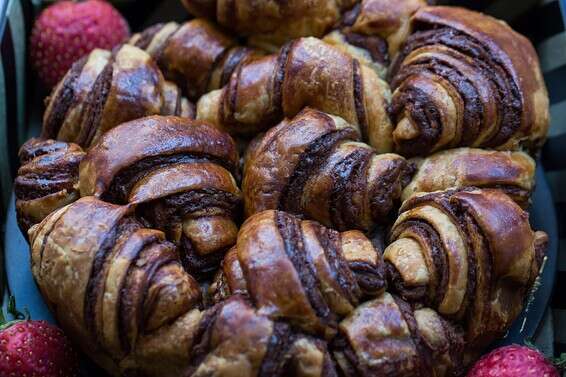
{"x":120,"y":187}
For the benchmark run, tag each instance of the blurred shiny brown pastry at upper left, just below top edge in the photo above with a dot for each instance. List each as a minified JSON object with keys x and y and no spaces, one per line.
{"x":196,"y":55}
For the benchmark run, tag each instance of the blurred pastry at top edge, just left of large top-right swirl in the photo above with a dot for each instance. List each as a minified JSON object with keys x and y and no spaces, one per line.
{"x":374,"y":30}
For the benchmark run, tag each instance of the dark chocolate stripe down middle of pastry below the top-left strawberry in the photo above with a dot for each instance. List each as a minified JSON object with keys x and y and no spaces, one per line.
{"x":95,"y":103}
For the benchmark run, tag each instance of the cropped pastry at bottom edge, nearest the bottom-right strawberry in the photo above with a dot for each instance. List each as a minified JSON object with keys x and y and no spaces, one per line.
{"x":385,"y":337}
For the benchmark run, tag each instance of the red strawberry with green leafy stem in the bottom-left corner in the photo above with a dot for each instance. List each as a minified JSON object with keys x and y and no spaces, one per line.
{"x":34,"y":348}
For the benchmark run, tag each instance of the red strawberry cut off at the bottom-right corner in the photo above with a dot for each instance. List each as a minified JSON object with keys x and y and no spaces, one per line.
{"x":514,"y":361}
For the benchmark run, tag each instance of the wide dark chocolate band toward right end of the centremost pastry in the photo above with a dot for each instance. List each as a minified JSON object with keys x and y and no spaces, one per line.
{"x":350,"y":178}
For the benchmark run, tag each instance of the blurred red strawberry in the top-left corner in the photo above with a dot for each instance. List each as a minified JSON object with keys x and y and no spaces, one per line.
{"x":68,"y":30}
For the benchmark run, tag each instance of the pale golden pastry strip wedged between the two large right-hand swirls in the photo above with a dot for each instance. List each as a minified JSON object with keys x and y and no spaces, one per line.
{"x":511,"y":172}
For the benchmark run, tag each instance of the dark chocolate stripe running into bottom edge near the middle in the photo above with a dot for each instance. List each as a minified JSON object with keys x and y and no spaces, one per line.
{"x":275,"y":362}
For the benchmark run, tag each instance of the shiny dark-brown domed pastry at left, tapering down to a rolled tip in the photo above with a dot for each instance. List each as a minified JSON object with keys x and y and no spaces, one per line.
{"x":179,"y":173}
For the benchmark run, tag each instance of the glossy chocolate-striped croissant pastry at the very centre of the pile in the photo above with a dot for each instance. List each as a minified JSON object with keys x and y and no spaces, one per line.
{"x":315,"y":166}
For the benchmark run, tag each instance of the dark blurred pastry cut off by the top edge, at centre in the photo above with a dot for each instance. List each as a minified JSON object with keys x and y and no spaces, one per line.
{"x":269,"y":24}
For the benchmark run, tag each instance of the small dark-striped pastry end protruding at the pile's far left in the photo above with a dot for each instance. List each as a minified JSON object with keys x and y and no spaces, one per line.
{"x":47,"y":180}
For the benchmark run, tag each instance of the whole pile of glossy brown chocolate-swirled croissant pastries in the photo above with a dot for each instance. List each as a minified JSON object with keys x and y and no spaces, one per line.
{"x":296,"y":188}
